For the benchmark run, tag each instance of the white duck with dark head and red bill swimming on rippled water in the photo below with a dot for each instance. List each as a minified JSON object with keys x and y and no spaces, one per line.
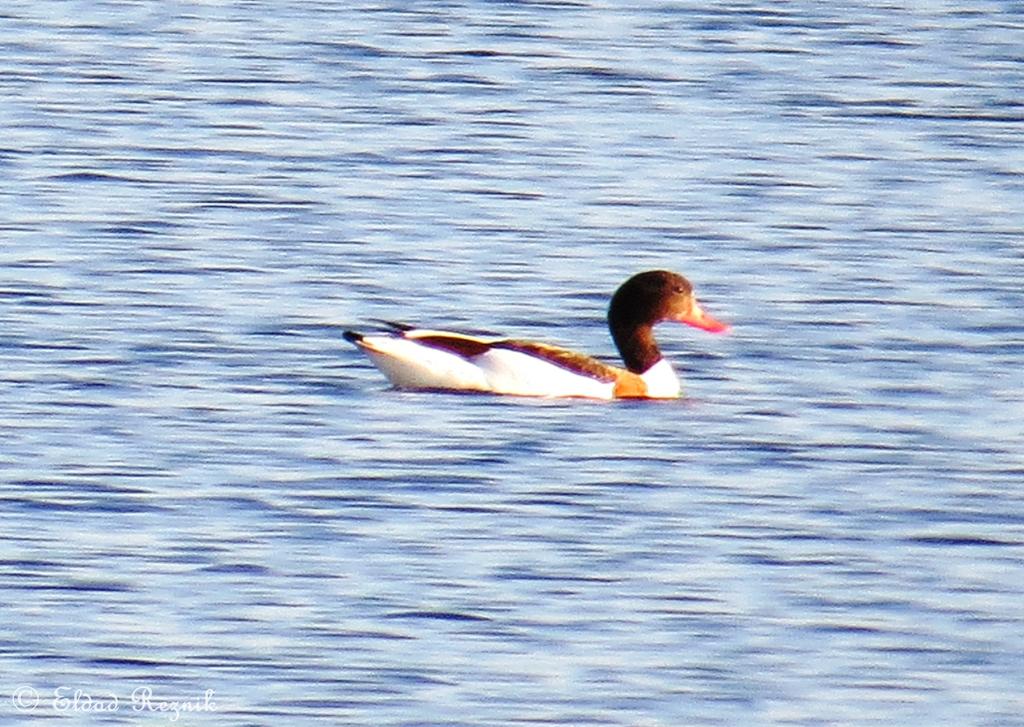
{"x":428,"y":360}
